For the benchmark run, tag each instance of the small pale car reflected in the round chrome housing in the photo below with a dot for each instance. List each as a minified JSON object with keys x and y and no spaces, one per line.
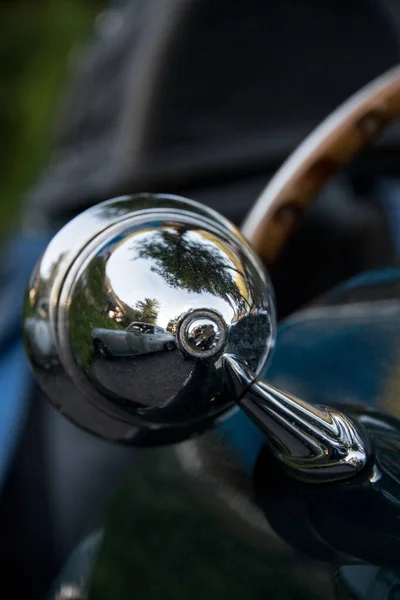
{"x":137,"y":338}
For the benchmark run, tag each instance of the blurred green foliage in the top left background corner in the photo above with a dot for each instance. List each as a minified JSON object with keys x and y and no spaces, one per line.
{"x":36,"y":39}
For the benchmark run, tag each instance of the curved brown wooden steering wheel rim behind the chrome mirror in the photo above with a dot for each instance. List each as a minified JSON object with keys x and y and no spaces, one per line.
{"x":327,"y":149}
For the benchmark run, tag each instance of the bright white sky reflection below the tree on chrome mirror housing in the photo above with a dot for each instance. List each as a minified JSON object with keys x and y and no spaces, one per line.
{"x":136,"y":282}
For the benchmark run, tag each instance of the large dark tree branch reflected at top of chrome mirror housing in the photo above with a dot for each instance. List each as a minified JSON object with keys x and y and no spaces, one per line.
{"x":186,"y":263}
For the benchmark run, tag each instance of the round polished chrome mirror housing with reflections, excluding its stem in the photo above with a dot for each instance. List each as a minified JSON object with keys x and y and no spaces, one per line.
{"x":130,"y":310}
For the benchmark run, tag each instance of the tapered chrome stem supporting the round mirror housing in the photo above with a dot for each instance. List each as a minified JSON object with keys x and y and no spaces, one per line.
{"x":314,"y":443}
